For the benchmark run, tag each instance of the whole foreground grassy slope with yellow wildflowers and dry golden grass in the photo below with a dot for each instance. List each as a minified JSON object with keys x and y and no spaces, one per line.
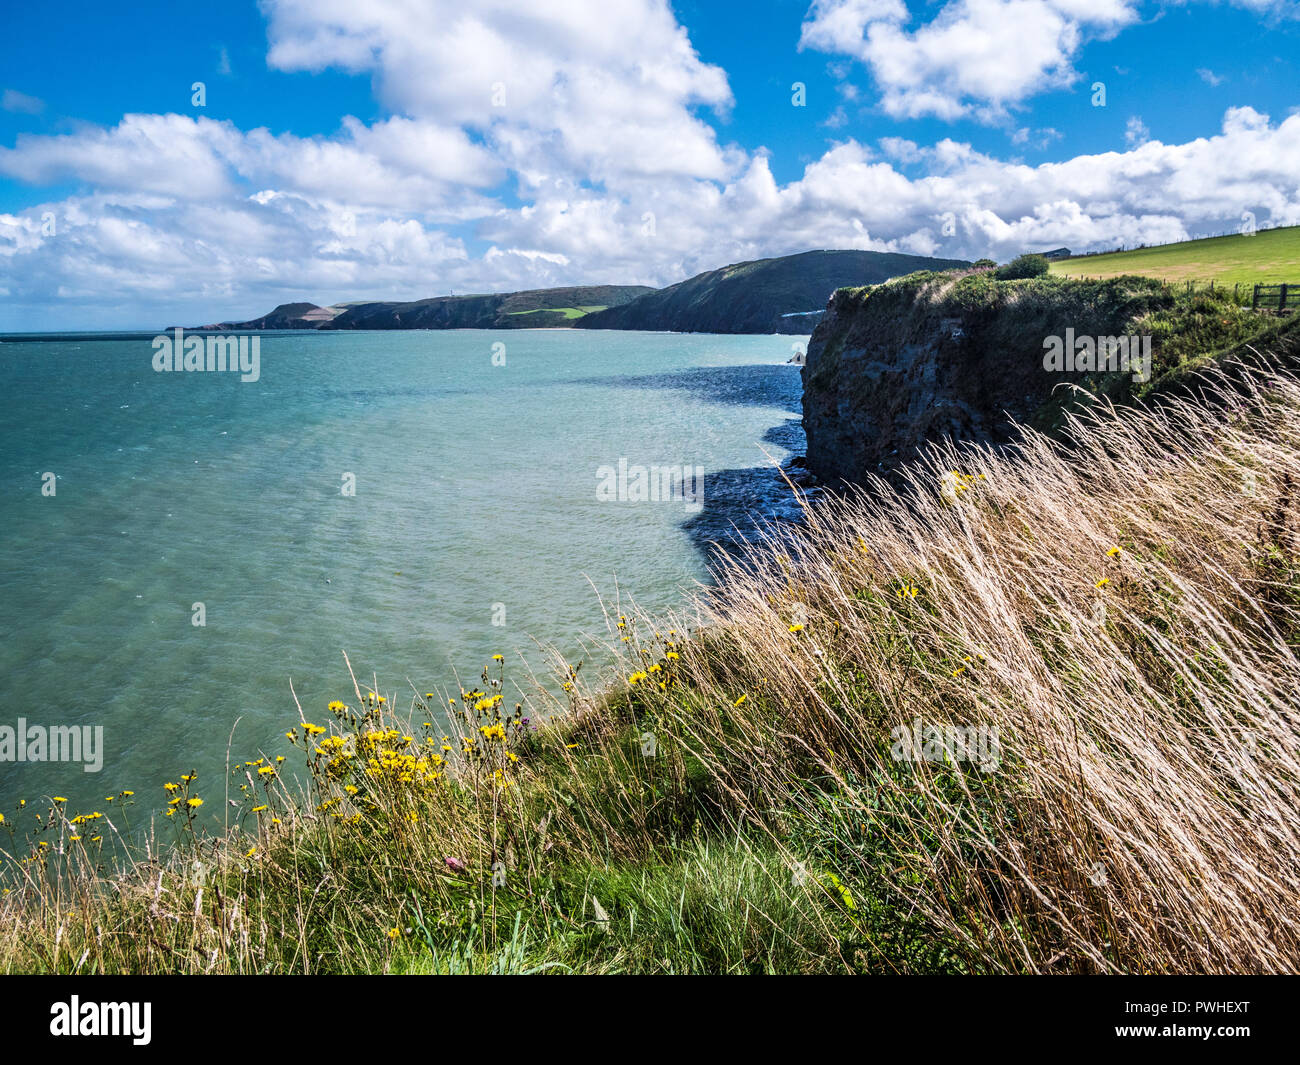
{"x":1117,"y":620}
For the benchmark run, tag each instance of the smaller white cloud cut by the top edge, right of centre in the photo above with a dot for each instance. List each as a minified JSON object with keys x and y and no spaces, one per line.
{"x":974,"y":59}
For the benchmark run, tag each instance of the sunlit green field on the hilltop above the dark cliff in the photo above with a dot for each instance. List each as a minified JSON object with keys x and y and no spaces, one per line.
{"x":1267,"y":258}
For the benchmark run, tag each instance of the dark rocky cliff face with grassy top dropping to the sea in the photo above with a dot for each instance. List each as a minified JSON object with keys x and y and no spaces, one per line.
{"x":961,"y":356}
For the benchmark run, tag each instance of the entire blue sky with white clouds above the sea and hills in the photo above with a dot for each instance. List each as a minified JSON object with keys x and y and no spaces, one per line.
{"x":206,"y":163}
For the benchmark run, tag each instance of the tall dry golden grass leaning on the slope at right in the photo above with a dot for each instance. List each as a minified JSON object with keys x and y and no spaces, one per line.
{"x":1145,"y":816}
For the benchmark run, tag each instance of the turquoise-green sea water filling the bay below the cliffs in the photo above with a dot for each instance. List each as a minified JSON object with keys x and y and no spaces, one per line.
{"x":476,"y":501}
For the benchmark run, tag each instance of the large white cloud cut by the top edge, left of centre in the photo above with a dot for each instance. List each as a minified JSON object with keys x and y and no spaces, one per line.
{"x":593,"y":89}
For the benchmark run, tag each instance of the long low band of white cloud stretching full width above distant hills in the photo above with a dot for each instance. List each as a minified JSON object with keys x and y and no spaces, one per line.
{"x":197,"y":261}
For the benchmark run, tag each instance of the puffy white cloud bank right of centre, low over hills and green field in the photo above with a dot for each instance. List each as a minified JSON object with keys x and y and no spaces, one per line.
{"x":853,"y":197}
